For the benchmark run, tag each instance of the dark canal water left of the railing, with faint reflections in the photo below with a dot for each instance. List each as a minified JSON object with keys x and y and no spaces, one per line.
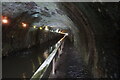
{"x":22,"y":64}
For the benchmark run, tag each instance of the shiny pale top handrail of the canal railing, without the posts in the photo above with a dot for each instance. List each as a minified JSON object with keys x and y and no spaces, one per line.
{"x":42,"y":69}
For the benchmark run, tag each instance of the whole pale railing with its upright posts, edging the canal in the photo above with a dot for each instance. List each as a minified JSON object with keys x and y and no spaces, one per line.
{"x":51,"y":59}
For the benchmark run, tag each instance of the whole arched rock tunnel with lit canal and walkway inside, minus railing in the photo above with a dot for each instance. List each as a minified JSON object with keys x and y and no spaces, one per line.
{"x":91,"y":31}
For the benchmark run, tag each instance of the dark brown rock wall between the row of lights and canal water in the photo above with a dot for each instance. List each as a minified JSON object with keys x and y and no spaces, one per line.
{"x":23,"y":39}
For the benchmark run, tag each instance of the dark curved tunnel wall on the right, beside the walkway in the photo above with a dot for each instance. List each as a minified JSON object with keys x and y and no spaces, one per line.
{"x":99,"y":38}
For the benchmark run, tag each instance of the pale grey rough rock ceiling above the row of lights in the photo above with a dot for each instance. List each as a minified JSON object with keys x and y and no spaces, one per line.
{"x":45,"y":13}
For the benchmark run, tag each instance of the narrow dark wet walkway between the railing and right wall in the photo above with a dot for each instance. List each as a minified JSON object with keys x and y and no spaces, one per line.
{"x":70,"y":64}
